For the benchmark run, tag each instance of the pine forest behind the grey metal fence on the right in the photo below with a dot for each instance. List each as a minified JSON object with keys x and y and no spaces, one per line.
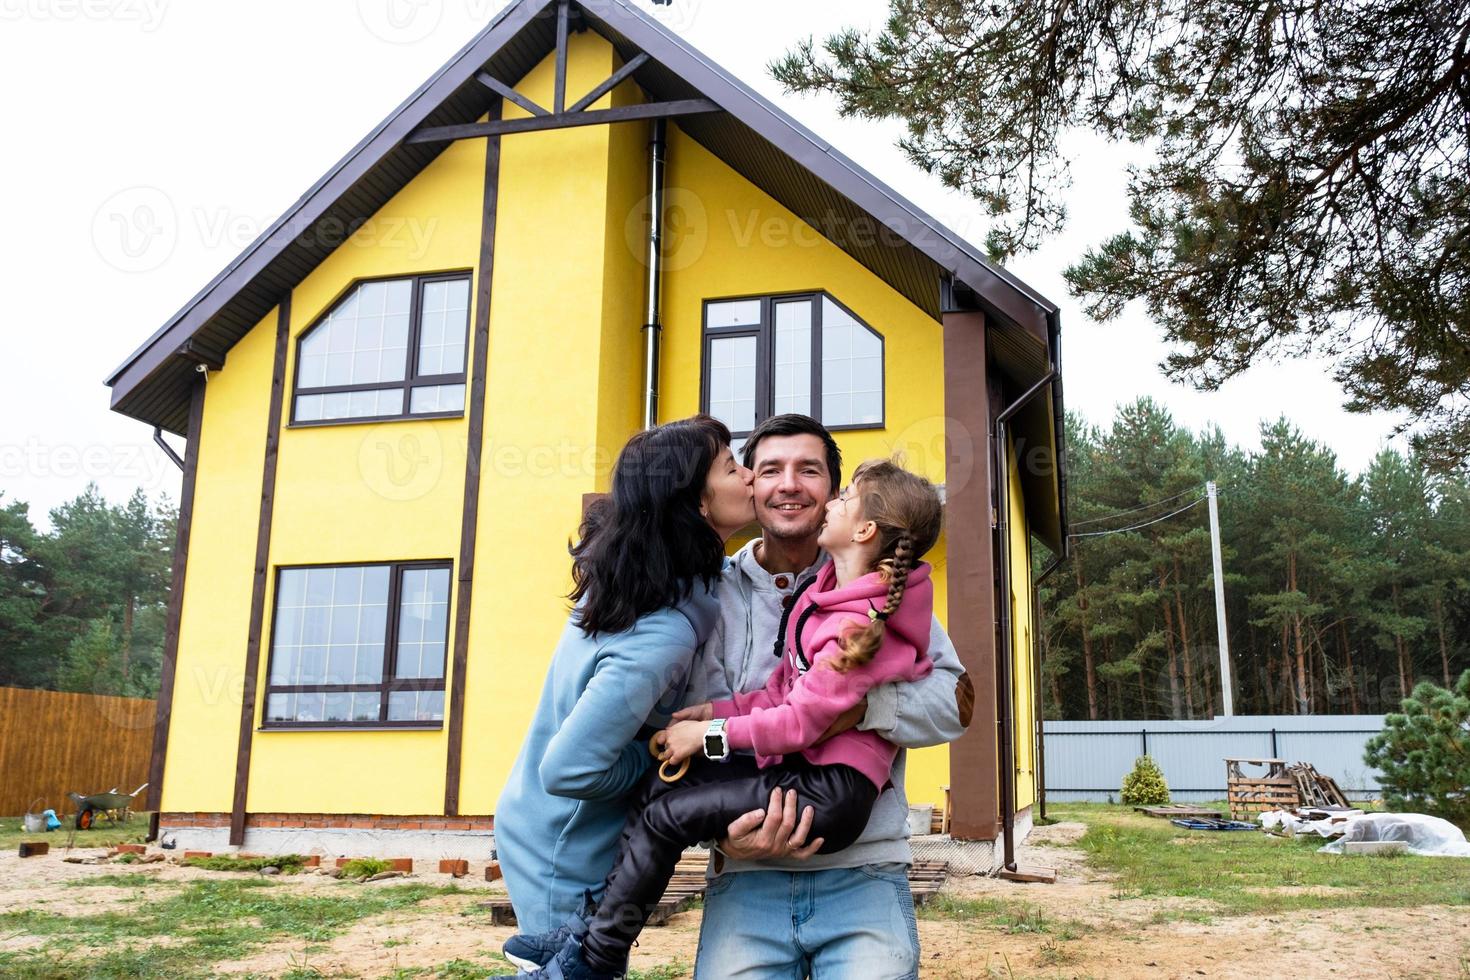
{"x":1341,"y":591}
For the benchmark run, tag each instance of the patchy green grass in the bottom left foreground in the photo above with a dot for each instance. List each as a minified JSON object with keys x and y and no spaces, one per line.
{"x":183,"y":934}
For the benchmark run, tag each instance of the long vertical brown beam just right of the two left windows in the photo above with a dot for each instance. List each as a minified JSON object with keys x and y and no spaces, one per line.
{"x":470,"y":511}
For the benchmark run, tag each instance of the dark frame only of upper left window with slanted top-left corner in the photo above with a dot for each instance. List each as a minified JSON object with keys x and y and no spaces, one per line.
{"x":411,"y":377}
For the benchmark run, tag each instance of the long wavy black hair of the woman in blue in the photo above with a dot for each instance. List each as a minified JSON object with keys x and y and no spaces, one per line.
{"x":643,"y":547}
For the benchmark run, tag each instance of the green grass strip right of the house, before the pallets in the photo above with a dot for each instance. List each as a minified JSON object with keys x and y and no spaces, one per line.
{"x":1255,"y":873}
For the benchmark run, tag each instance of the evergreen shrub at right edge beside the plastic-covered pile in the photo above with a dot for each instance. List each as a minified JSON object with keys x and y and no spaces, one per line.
{"x":1424,"y":754}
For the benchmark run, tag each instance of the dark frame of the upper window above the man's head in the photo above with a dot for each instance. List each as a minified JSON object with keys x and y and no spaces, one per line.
{"x":765,"y":334}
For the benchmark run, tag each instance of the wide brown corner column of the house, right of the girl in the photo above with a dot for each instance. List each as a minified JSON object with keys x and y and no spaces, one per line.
{"x":974,"y":757}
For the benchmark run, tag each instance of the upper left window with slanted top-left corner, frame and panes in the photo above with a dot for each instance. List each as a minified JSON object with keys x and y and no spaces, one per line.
{"x":390,"y":349}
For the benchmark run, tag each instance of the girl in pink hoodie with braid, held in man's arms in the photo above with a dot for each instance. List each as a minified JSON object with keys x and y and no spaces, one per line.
{"x":865,"y":621}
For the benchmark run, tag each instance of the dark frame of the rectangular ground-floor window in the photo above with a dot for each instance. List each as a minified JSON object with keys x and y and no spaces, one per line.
{"x":392,"y":682}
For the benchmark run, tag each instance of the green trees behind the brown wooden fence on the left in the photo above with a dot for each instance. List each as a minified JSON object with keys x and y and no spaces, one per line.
{"x":83,"y":606}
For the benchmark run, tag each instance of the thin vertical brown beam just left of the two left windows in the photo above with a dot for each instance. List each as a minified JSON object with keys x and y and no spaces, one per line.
{"x":258,"y":594}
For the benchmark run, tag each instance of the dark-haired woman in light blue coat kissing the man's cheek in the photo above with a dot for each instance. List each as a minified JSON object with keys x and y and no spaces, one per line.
{"x":645,"y":572}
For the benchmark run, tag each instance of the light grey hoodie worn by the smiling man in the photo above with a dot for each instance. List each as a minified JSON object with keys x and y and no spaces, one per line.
{"x":737,"y":657}
